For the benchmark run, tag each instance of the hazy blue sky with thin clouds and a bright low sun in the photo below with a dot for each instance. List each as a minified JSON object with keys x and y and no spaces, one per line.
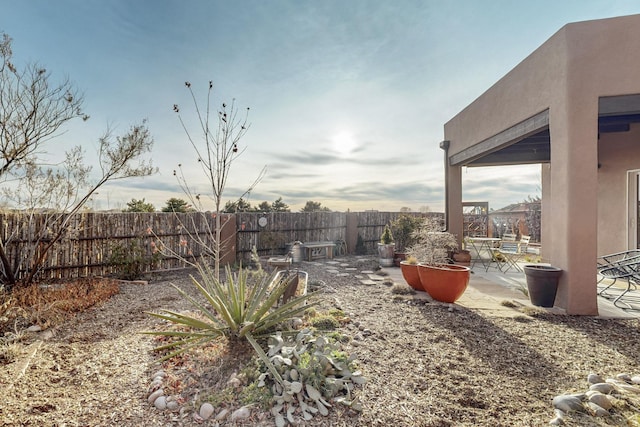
{"x":348,"y":98}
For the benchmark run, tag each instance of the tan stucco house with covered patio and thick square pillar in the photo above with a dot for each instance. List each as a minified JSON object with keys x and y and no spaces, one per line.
{"x":573,"y":106}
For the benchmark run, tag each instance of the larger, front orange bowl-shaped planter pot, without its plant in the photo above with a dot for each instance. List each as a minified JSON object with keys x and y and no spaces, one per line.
{"x":445,"y":283}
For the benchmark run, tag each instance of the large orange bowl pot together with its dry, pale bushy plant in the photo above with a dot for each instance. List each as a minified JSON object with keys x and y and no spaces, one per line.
{"x":440,"y":278}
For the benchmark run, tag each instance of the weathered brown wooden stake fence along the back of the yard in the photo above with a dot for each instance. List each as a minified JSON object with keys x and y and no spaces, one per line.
{"x":88,"y":247}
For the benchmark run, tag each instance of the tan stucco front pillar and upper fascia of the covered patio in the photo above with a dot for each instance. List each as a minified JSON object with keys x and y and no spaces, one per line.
{"x":566,"y":75}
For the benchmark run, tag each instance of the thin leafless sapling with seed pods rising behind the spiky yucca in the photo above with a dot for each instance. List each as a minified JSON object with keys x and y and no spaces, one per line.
{"x":216,"y":150}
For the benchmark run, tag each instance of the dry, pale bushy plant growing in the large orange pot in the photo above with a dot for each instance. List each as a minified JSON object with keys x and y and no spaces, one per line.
{"x":432,"y":245}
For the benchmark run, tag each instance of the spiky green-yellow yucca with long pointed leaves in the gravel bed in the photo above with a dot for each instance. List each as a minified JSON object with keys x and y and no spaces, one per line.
{"x":234,"y":309}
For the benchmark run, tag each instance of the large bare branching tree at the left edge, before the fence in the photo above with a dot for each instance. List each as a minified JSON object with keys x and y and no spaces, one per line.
{"x":32,"y":112}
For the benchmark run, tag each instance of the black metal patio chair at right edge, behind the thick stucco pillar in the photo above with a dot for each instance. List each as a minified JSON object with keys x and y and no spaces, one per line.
{"x":627,"y":271}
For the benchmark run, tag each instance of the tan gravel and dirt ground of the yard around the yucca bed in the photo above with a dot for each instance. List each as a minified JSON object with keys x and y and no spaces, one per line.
{"x":427,"y":364}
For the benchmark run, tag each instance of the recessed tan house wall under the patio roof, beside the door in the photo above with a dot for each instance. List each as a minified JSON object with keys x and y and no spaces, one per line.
{"x":617,"y":154}
